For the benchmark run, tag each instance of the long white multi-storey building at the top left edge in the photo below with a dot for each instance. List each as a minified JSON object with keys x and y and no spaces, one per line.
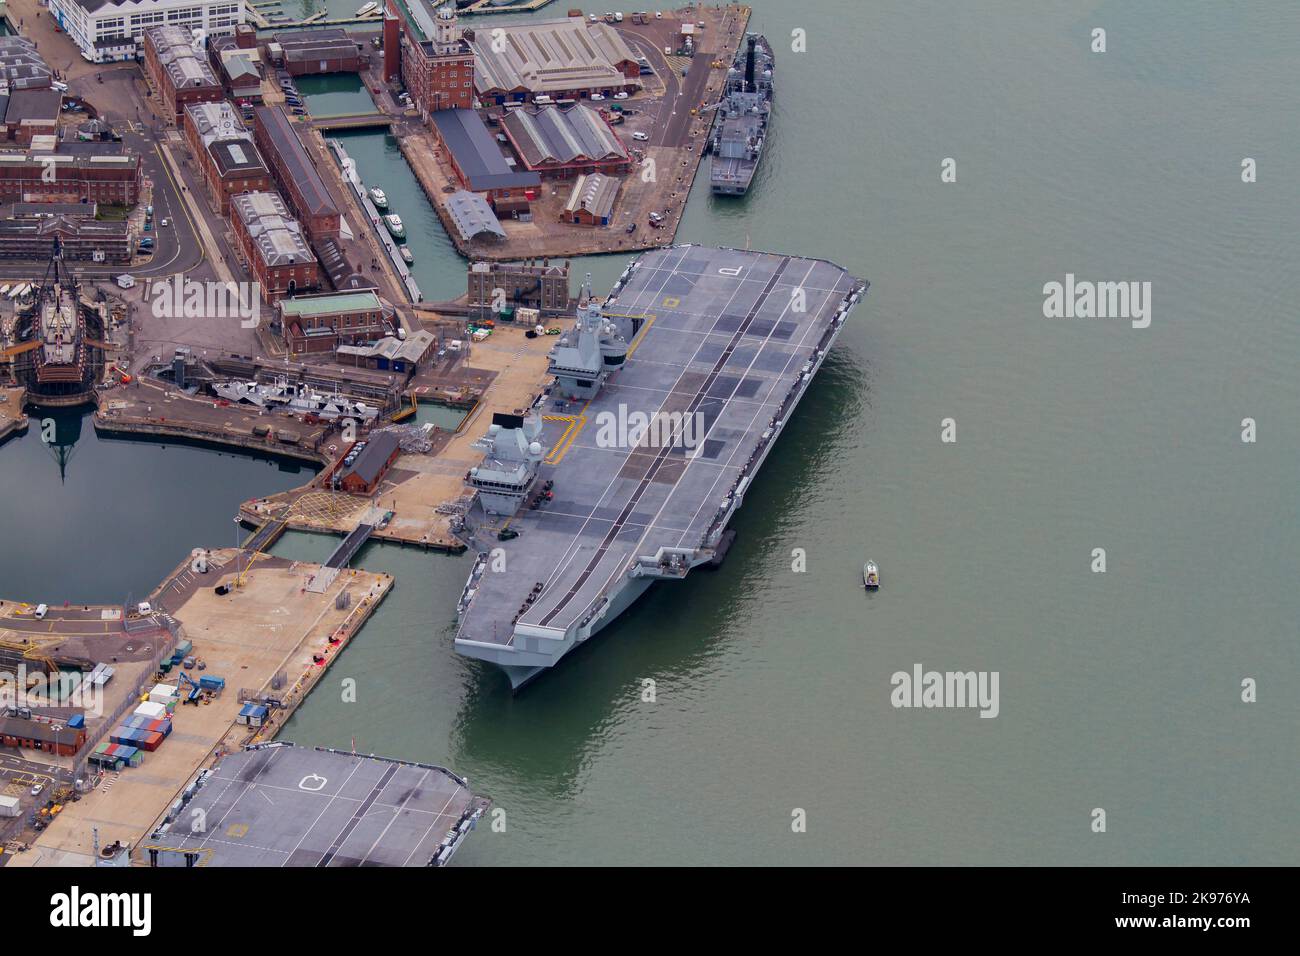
{"x":109,"y":31}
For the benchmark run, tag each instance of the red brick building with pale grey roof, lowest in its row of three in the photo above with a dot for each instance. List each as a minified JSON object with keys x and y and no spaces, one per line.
{"x":272,"y":244}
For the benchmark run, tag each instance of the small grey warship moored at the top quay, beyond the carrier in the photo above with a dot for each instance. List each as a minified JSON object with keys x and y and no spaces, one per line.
{"x":740,"y":127}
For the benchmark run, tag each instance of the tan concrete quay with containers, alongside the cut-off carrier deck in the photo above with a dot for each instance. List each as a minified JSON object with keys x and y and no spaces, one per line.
{"x":268,"y":635}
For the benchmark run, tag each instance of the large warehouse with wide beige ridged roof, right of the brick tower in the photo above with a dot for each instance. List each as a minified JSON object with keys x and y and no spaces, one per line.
{"x":554,"y":58}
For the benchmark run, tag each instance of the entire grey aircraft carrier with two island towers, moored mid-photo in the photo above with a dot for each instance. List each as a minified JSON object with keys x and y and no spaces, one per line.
{"x":668,"y":399}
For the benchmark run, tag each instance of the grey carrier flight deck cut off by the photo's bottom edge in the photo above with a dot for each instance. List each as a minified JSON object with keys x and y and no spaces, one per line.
{"x":287,"y":806}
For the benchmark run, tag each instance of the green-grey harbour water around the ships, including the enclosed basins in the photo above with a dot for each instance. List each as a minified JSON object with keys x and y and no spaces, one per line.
{"x":773,"y":689}
